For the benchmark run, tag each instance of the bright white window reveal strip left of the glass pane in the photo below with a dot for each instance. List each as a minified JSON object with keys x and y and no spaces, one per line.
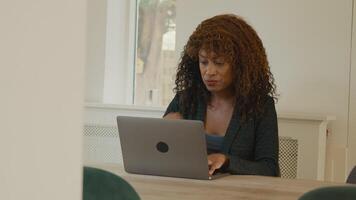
{"x":117,"y":75}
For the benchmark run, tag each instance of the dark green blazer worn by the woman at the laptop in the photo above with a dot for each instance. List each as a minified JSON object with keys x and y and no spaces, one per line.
{"x":252,"y":146}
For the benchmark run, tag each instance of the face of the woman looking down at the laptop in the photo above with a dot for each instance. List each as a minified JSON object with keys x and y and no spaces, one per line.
{"x":217,"y":74}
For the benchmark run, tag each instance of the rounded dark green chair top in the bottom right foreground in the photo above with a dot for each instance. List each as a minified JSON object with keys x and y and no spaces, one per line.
{"x":331,"y":193}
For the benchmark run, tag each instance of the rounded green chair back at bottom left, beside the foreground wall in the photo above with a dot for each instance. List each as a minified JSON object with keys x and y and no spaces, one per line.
{"x":102,"y":185}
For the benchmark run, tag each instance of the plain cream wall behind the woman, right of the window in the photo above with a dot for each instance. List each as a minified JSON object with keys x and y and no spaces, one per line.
{"x":308,"y":45}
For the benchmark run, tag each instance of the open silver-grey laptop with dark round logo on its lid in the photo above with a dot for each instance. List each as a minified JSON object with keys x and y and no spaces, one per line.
{"x":163,"y":147}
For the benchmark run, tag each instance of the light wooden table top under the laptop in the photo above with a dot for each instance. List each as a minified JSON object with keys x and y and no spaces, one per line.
{"x":234,"y":187}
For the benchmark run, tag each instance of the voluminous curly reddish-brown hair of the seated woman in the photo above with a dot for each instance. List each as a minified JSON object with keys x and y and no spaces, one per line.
{"x":231,"y":38}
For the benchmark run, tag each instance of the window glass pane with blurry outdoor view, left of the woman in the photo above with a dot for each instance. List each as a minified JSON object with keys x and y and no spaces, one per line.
{"x":155,"y":61}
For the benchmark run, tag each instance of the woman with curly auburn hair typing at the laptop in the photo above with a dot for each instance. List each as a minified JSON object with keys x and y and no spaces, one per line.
{"x":224,"y":80}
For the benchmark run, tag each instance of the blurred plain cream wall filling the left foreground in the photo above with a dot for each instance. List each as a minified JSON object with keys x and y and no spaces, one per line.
{"x":41,"y":92}
